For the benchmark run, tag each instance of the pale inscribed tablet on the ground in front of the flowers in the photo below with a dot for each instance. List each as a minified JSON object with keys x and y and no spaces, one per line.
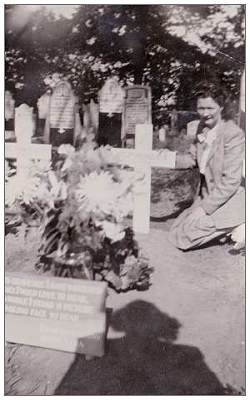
{"x":58,"y":313}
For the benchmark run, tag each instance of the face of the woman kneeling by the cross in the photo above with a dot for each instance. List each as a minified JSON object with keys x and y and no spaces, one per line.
{"x":209,"y":111}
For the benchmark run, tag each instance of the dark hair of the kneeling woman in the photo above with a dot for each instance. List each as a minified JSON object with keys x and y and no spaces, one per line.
{"x":220,"y":95}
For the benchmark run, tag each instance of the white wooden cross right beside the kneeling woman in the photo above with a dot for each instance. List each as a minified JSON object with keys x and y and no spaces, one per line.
{"x":143,"y":158}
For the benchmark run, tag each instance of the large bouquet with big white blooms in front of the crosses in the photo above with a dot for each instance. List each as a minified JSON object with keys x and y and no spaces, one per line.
{"x":81,"y":202}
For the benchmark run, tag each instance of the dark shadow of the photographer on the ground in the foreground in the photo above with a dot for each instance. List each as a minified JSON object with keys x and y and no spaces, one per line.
{"x":143,"y":362}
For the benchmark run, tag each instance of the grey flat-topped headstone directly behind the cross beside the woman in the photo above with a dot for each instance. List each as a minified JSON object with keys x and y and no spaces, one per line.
{"x":138,"y":110}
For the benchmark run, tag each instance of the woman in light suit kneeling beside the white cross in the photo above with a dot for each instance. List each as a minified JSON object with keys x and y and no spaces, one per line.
{"x":218,"y":150}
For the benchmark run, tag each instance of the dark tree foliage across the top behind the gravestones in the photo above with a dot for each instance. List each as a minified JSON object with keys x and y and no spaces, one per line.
{"x":169,"y":47}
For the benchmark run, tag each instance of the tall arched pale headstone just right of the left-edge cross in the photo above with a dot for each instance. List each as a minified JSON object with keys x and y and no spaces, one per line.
{"x":62,"y":114}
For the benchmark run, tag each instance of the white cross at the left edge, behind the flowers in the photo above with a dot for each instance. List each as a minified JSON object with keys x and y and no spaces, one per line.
{"x":23,"y":150}
